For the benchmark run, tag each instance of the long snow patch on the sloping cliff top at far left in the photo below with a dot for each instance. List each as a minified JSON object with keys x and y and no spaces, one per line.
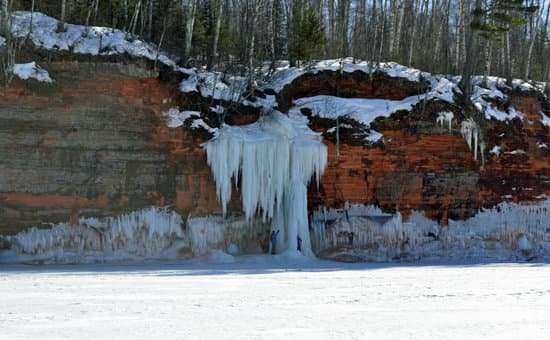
{"x":81,"y":39}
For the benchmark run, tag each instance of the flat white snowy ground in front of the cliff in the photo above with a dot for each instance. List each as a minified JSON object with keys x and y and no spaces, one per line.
{"x":256,"y":298}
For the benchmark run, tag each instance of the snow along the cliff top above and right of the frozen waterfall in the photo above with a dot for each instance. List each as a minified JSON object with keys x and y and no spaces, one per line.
{"x":487,"y":90}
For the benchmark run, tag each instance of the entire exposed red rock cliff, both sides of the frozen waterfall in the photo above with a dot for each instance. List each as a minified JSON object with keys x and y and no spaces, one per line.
{"x":96,"y":143}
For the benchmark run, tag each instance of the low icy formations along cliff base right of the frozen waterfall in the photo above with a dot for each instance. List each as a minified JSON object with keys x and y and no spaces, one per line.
{"x":508,"y":231}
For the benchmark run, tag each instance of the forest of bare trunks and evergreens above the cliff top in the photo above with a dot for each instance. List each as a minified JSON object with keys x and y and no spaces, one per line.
{"x":493,"y":37}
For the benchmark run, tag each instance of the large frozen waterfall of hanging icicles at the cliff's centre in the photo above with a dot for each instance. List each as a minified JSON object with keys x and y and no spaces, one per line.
{"x":274,"y":160}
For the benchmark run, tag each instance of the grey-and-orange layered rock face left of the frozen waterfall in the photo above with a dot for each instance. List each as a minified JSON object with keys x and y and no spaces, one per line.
{"x":95,"y":143}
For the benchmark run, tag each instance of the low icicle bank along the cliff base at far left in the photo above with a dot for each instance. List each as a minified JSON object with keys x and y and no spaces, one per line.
{"x":151,"y":233}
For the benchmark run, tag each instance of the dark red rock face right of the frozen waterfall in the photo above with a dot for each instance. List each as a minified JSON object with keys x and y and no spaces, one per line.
{"x":423,"y":167}
